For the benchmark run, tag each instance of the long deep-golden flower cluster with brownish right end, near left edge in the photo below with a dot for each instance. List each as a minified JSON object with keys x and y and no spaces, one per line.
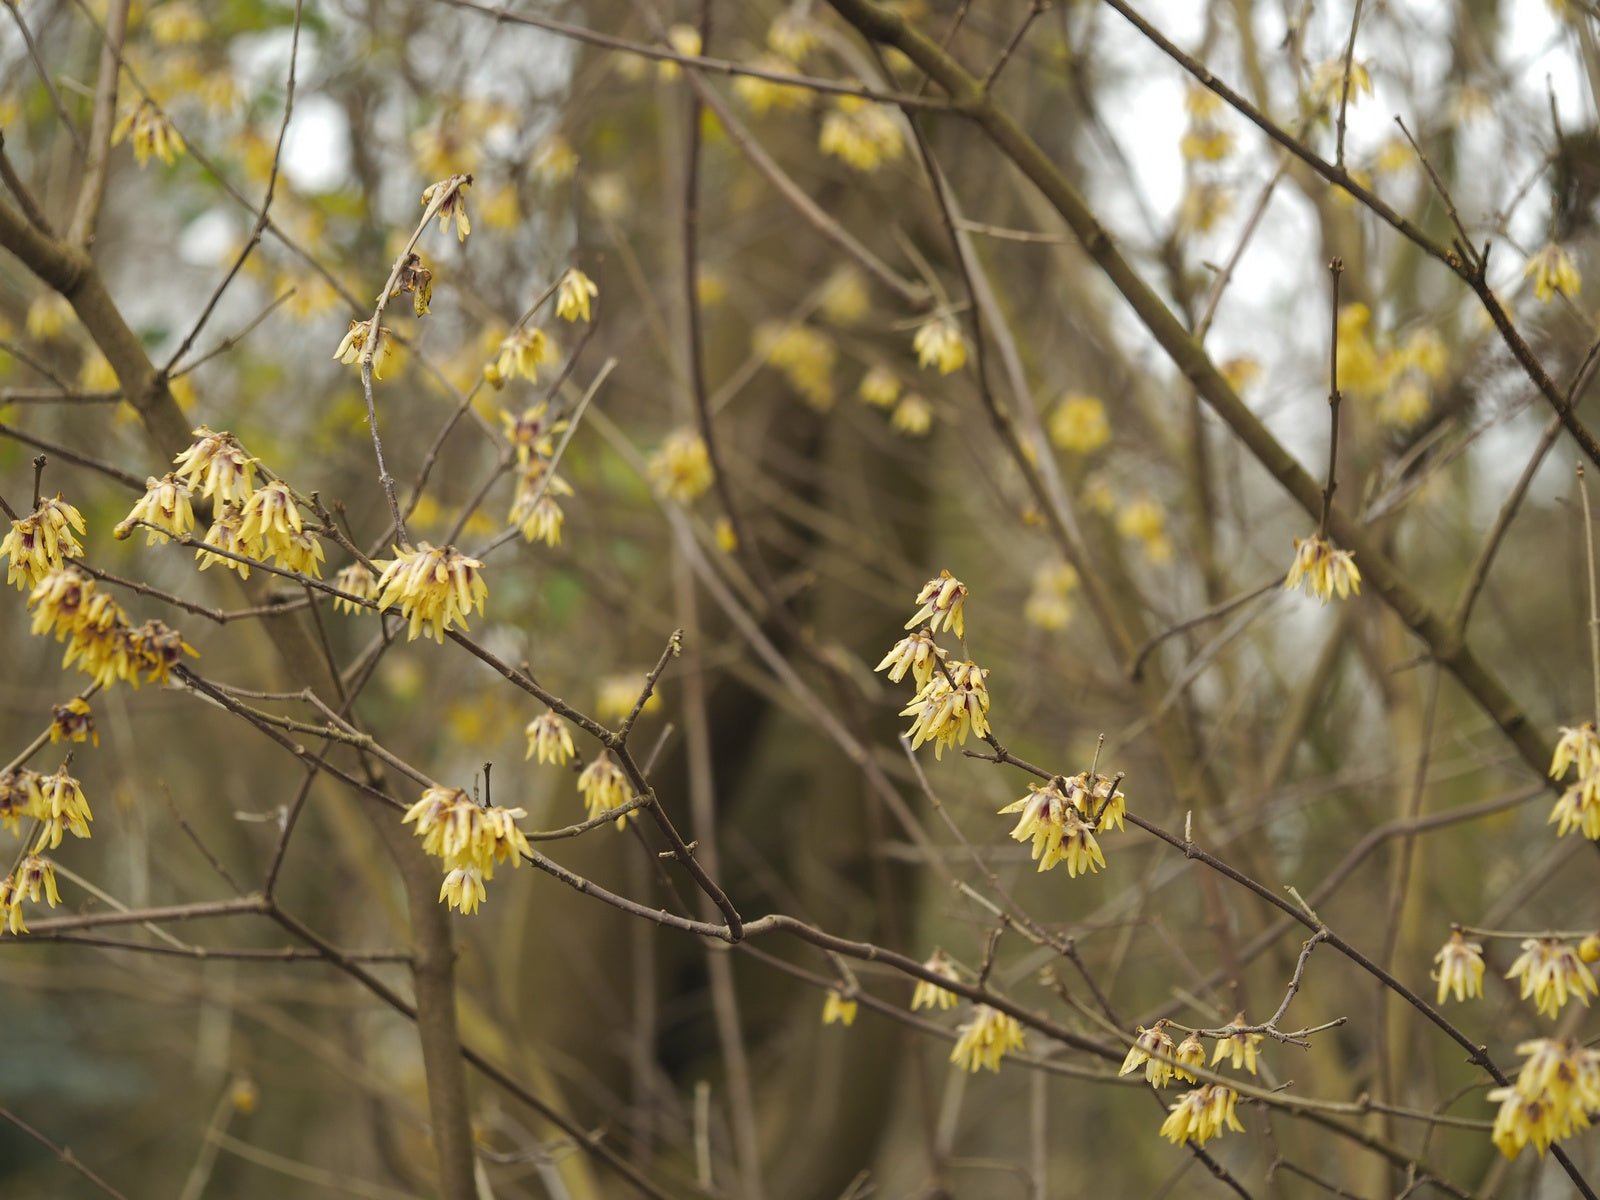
{"x":98,"y":636}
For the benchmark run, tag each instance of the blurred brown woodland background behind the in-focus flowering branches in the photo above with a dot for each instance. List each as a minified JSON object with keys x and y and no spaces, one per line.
{"x":1289,"y":732}
